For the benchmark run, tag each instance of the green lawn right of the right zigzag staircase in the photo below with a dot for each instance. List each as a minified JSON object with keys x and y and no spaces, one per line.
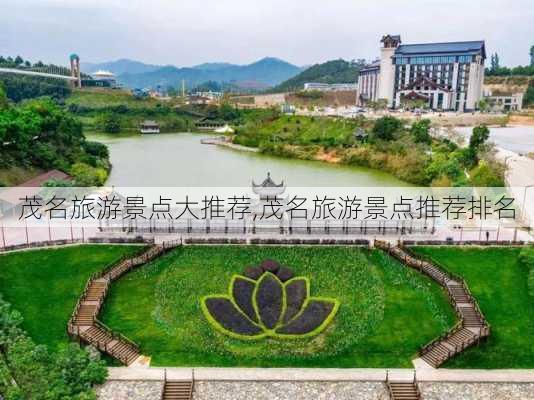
{"x":499,"y":283}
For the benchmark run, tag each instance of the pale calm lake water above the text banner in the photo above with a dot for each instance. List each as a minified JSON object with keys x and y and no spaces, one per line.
{"x":181,"y":160}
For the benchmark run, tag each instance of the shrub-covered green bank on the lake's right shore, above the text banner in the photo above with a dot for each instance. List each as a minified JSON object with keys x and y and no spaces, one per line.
{"x":391,"y":145}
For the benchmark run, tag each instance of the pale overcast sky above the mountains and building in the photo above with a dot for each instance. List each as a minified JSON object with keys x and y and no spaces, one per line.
{"x":303,"y":32}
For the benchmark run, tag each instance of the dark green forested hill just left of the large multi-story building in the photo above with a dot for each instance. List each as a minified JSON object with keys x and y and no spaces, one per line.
{"x":335,"y":71}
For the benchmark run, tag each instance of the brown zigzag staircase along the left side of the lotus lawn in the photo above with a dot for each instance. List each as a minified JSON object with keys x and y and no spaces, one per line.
{"x":84,"y":323}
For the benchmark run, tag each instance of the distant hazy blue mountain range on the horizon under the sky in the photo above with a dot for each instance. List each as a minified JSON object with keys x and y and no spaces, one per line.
{"x":265,"y":72}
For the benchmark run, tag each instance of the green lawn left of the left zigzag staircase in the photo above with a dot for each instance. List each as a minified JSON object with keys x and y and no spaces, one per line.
{"x":44,"y":285}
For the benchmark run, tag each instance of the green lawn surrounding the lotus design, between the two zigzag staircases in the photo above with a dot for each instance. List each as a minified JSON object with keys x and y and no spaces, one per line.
{"x":387,"y":311}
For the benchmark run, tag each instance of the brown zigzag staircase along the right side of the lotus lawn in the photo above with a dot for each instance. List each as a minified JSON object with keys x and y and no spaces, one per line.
{"x":472,"y":326}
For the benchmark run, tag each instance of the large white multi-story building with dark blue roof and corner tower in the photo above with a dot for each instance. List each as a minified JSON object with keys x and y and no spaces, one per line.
{"x":445,"y":76}
